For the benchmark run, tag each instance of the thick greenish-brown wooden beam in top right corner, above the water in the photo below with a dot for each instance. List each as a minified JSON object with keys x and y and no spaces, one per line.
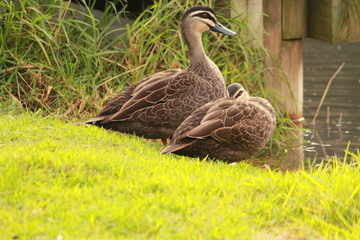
{"x":334,"y":21}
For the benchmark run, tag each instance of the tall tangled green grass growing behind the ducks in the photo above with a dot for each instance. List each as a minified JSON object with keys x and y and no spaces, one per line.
{"x":60,"y":63}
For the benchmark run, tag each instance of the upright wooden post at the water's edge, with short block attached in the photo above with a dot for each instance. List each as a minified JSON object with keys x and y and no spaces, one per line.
{"x":285,"y":26}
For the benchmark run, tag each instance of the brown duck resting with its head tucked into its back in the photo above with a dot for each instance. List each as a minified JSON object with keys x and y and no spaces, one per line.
{"x":230,"y":129}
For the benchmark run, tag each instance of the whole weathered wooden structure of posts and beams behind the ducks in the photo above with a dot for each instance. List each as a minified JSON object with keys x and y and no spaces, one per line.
{"x":285,"y":23}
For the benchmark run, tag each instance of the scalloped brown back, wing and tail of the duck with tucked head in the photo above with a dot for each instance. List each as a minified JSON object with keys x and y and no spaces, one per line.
{"x":228,"y":121}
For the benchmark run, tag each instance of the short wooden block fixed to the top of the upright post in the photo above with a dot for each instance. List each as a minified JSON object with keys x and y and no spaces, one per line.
{"x":294,"y":19}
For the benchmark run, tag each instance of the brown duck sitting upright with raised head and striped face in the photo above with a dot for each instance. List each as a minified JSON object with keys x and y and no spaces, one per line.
{"x":155,"y":106}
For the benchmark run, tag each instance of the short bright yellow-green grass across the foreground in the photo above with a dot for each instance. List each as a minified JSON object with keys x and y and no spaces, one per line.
{"x":68,"y":181}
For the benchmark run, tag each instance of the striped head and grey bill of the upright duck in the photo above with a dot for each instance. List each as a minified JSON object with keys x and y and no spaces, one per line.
{"x":199,"y":19}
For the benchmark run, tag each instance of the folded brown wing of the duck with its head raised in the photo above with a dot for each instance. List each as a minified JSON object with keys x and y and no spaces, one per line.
{"x":162,"y":101}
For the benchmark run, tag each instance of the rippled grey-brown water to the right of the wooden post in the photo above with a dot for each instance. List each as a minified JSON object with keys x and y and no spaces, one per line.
{"x":321,"y":60}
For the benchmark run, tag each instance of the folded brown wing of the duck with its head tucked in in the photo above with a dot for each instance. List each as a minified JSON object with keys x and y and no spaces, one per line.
{"x":240,"y":122}
